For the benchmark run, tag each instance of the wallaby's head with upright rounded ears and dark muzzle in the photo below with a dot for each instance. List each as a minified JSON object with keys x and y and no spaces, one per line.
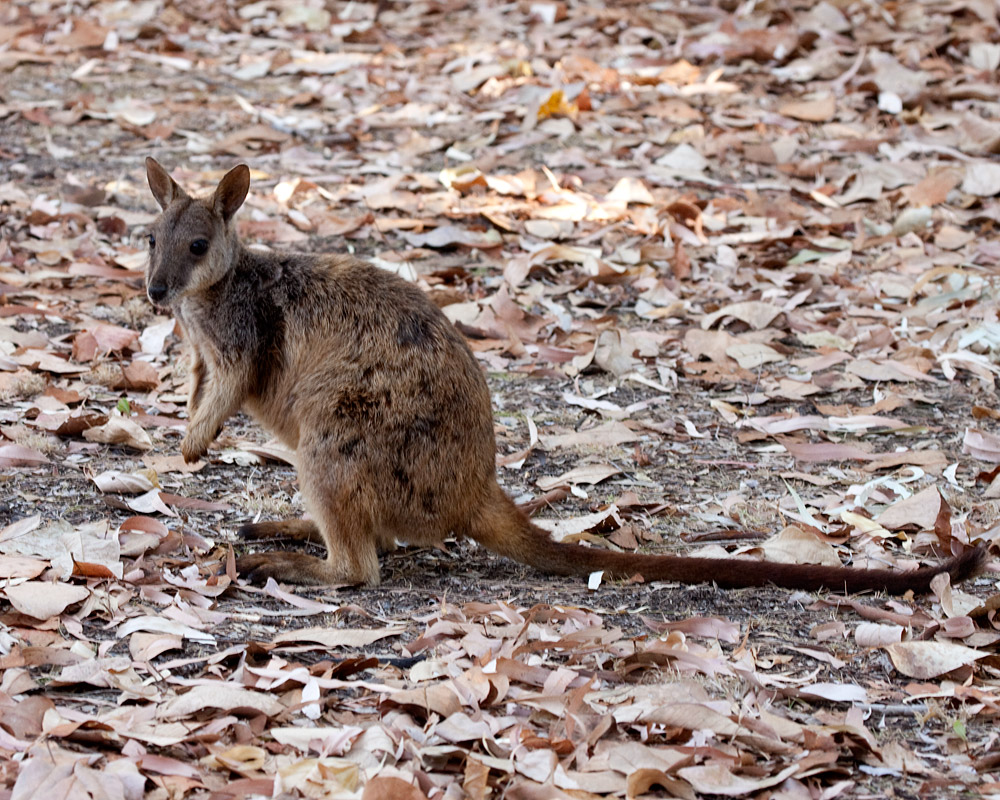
{"x":193,"y":243}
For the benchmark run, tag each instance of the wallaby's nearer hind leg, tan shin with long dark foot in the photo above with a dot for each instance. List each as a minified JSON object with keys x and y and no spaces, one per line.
{"x":338,"y":505}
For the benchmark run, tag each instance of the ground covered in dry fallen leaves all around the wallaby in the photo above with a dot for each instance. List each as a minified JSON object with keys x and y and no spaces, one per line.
{"x":736,"y":262}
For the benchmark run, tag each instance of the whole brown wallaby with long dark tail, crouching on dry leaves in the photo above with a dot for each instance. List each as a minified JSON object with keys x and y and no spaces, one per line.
{"x":386,"y":406}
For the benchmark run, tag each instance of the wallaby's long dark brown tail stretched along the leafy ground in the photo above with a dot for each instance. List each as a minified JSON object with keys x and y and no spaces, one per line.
{"x":503,"y":528}
